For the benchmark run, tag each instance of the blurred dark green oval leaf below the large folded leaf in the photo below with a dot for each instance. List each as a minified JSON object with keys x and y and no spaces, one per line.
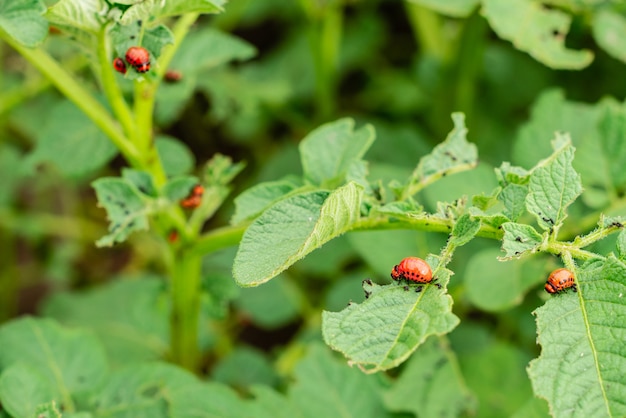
{"x":273,"y":305}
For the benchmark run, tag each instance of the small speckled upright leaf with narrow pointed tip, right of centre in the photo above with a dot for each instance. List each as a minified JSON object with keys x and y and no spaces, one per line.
{"x":452,"y":155}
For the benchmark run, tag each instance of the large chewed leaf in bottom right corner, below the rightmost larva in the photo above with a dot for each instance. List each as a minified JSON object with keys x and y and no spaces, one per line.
{"x":582,"y":336}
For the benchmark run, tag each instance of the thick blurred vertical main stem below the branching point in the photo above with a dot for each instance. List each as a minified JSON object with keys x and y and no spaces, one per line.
{"x":185,"y":293}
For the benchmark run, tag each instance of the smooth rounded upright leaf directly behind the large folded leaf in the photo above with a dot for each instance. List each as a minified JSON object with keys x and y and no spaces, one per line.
{"x":328,"y":152}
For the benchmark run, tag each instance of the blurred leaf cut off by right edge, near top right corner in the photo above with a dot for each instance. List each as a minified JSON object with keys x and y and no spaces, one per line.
{"x":609,"y":28}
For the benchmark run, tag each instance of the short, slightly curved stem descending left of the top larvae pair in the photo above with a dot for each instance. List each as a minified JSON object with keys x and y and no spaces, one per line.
{"x":110,"y":85}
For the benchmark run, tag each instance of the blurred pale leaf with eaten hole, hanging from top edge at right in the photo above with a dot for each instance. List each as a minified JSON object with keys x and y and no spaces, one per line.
{"x":536,"y":30}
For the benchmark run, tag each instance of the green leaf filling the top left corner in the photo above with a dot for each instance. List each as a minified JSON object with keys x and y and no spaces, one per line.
{"x":23,"y":21}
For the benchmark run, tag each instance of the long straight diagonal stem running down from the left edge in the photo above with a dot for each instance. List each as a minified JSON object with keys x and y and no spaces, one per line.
{"x":70,"y":87}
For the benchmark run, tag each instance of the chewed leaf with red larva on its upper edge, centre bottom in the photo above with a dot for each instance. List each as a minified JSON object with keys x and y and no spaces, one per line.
{"x":392,"y":323}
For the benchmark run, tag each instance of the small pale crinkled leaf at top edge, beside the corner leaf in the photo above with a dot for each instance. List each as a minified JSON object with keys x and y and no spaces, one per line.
{"x":85,"y":15}
